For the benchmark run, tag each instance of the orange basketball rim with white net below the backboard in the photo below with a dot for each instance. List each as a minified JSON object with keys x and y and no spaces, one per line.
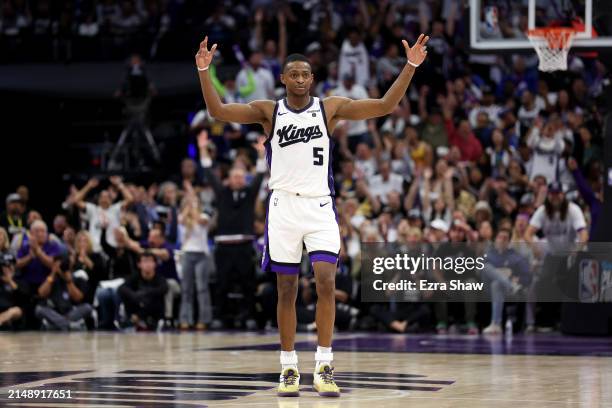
{"x":552,"y":45}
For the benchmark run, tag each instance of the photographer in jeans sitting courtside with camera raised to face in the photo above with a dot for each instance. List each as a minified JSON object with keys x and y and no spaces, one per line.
{"x":63,"y":295}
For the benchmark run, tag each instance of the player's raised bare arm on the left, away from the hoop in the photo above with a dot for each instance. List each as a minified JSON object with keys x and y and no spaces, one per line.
{"x":254,"y":112}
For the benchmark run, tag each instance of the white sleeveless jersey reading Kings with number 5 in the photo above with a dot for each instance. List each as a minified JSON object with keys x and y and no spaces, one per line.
{"x":299,"y":150}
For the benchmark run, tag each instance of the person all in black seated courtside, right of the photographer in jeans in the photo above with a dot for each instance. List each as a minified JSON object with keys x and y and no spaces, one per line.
{"x":143,"y":294}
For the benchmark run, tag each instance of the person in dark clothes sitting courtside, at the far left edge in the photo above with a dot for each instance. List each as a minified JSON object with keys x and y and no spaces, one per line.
{"x":13,"y":294}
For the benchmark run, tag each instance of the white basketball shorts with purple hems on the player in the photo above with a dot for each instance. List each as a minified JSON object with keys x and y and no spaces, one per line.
{"x":293,"y":221}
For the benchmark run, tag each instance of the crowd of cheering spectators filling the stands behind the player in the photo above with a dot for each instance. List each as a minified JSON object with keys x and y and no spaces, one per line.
{"x":491,"y":153}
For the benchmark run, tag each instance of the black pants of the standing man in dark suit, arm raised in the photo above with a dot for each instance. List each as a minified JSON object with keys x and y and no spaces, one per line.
{"x":235,"y":275}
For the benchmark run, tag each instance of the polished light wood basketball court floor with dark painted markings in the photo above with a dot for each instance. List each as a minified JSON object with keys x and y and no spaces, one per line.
{"x":241,"y":369}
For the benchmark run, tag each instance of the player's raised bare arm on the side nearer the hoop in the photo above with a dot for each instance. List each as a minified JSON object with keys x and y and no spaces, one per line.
{"x":344,"y":108}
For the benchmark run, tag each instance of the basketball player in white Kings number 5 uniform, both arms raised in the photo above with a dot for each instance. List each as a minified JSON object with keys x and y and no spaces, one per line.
{"x":301,"y":208}
